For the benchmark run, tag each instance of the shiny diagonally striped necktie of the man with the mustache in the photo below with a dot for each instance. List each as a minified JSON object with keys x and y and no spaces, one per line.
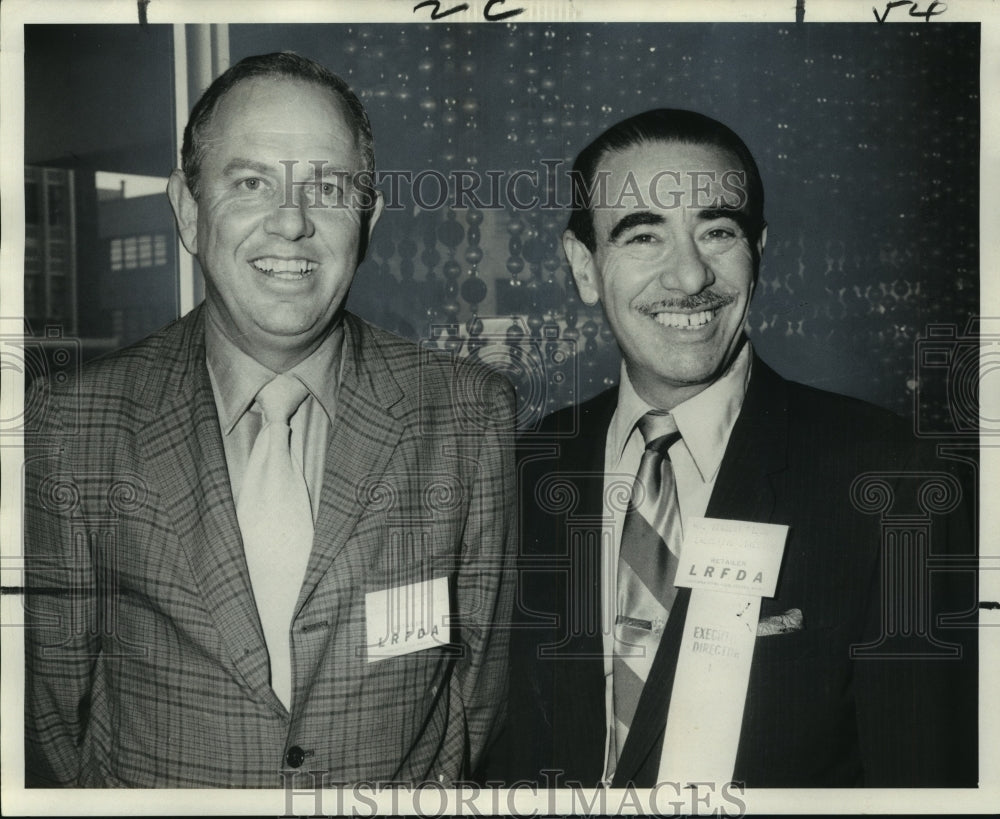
{"x":647,"y":565}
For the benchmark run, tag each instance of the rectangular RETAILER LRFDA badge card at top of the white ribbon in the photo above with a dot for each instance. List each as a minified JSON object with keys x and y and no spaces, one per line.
{"x":734,"y":556}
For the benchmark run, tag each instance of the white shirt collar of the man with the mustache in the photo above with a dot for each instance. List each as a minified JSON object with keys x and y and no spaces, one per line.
{"x":704,"y":421}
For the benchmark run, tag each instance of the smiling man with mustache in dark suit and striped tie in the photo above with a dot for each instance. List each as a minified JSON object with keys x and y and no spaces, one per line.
{"x":667,"y":234}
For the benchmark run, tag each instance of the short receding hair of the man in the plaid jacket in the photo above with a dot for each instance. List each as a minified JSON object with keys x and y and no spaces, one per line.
{"x":283,"y":65}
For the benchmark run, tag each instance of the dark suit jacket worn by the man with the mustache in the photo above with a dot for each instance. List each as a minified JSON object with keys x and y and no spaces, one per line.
{"x":814,"y":716}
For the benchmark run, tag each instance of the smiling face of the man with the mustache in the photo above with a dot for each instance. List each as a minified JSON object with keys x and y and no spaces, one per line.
{"x":675,"y":278}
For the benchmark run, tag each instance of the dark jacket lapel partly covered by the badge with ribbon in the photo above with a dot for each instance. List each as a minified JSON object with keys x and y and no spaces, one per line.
{"x":756,"y":451}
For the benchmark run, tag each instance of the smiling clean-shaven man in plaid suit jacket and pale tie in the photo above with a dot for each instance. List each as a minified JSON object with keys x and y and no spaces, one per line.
{"x":146,"y":659}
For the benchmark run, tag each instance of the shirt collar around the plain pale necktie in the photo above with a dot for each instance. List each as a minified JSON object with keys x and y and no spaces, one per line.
{"x":238,"y":377}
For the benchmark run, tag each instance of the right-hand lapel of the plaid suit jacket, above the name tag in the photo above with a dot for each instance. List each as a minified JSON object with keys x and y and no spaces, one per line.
{"x":362,"y":439}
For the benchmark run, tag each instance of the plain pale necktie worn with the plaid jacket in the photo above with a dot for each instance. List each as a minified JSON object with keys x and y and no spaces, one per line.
{"x":276,"y":521}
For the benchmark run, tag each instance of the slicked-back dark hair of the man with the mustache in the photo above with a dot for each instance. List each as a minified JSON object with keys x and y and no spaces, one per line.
{"x":661,"y":125}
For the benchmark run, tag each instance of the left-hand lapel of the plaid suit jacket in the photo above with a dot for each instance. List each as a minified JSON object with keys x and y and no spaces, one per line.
{"x":182,"y":445}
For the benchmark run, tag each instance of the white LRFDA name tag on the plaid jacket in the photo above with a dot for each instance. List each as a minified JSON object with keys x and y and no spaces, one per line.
{"x":407,"y":618}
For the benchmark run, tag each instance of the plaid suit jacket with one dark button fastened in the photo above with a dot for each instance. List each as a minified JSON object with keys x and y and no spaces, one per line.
{"x":146,"y":665}
